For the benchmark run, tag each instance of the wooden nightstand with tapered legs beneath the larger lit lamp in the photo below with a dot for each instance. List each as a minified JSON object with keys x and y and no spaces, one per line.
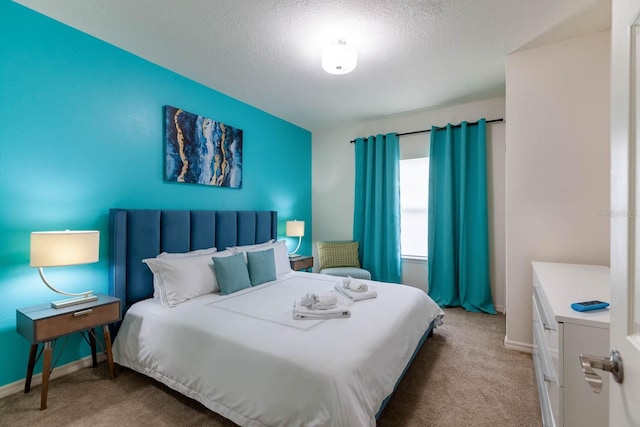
{"x":43,"y":324}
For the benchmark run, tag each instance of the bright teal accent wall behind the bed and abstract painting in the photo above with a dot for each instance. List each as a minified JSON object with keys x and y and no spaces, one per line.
{"x":82,"y":131}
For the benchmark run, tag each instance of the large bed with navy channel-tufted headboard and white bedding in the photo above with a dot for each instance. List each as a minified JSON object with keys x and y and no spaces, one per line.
{"x":242,"y":354}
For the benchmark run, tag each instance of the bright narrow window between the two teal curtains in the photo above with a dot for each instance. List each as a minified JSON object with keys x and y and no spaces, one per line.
{"x":414,"y":196}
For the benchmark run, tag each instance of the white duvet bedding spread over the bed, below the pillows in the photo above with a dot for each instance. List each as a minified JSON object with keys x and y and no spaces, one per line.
{"x":246,"y":358}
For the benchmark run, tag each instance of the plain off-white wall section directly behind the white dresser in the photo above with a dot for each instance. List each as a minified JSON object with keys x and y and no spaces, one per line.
{"x":557,"y":165}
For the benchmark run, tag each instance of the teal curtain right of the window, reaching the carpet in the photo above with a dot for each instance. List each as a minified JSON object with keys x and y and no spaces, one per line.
{"x":458,"y":237}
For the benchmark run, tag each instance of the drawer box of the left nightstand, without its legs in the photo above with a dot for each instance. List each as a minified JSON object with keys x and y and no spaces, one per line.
{"x":70,"y":321}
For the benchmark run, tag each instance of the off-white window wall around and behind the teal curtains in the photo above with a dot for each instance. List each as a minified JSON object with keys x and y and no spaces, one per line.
{"x":333,"y":179}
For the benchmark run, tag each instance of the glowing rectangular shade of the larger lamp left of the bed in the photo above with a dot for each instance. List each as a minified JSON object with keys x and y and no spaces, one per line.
{"x":59,"y":248}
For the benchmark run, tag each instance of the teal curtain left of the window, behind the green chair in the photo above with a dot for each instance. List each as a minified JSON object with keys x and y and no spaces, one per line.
{"x":376,"y":219}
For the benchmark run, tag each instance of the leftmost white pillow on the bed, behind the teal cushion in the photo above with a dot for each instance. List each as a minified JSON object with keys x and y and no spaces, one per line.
{"x":178,"y":279}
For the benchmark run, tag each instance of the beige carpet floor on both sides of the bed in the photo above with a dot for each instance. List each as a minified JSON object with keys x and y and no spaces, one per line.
{"x":463,"y":376}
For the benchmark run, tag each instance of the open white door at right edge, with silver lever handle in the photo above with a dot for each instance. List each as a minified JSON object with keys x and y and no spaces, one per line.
{"x":625,"y":209}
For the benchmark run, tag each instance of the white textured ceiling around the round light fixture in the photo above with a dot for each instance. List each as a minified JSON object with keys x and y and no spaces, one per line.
{"x":412,"y":54}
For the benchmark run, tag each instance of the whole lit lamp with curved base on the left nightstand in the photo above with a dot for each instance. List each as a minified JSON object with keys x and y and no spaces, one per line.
{"x":61,"y":248}
